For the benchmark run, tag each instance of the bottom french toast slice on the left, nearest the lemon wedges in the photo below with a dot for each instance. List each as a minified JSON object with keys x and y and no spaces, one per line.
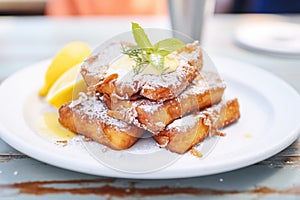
{"x":88,"y":116}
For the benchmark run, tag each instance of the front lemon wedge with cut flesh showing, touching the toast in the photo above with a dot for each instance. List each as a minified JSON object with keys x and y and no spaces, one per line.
{"x":66,"y":87}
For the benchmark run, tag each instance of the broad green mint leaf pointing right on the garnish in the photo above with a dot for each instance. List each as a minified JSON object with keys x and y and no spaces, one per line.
{"x":166,"y":46}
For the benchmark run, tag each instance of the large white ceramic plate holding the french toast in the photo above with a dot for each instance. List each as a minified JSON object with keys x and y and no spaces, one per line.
{"x":269,"y":122}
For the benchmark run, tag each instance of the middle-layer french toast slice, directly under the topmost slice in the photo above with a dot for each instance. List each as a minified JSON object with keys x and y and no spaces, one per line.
{"x":205,"y":90}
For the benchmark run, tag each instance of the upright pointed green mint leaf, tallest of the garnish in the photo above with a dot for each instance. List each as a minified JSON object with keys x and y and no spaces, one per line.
{"x":141,"y":37}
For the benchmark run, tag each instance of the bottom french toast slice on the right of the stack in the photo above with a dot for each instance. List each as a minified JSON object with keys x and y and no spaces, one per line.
{"x":184,"y":133}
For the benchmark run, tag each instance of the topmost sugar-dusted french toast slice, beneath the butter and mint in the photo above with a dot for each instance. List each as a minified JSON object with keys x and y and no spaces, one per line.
{"x":127,"y":85}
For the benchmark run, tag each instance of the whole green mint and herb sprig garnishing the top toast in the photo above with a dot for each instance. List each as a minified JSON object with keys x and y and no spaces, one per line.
{"x":145,"y":53}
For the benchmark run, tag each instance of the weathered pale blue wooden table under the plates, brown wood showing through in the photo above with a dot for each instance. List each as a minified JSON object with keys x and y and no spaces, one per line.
{"x":26,"y":40}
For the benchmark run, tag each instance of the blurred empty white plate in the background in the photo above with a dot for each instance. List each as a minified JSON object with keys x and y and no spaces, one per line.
{"x":279,"y":38}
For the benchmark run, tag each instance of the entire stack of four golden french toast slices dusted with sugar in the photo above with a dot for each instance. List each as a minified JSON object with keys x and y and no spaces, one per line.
{"x":179,"y":108}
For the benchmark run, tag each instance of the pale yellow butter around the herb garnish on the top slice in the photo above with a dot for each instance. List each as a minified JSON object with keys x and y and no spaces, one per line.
{"x":171,"y":63}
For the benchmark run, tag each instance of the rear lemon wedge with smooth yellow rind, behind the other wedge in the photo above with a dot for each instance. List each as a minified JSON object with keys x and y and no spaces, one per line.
{"x":70,"y":55}
